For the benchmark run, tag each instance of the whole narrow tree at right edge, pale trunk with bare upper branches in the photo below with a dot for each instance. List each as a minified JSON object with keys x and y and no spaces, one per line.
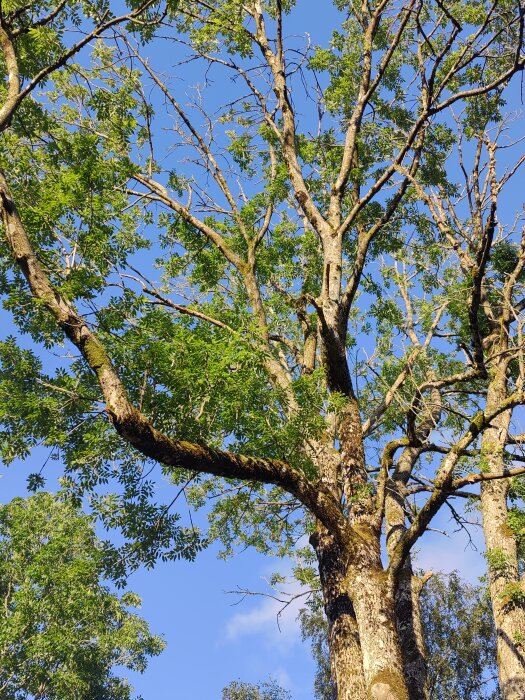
{"x":477,"y":205}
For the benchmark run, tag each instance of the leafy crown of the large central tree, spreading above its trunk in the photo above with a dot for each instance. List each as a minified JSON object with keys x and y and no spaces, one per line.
{"x":259,"y":264}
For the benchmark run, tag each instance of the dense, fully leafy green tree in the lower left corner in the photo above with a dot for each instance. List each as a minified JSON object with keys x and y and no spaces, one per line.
{"x":62,"y":631}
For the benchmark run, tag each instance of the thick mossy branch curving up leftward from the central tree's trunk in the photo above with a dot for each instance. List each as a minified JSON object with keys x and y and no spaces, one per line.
{"x":130,"y":423}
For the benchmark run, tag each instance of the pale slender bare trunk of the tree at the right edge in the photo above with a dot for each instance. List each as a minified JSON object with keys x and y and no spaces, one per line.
{"x":506,"y":590}
